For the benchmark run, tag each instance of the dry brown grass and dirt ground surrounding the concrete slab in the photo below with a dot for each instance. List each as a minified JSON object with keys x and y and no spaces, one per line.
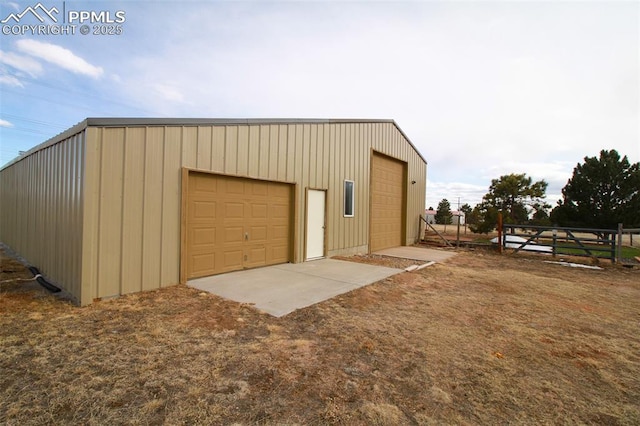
{"x":479,"y":339}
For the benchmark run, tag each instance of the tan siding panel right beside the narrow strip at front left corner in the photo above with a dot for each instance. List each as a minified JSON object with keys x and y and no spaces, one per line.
{"x":109,"y":239}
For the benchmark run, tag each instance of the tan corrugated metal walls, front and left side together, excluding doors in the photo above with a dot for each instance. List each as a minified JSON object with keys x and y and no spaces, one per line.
{"x":126,"y":216}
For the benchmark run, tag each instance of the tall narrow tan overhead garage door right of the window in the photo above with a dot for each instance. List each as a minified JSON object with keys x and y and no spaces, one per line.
{"x":387,"y":202}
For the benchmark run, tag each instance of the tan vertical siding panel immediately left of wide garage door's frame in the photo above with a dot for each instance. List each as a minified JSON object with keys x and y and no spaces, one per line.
{"x":171,"y":198}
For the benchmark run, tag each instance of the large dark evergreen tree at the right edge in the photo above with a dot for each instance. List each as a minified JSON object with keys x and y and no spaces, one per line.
{"x":601,"y":193}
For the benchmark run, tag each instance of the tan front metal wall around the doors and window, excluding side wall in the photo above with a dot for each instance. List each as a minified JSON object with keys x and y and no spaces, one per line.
{"x":132,"y":213}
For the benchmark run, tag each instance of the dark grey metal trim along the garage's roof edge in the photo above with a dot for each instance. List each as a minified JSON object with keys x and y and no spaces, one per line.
{"x":155,"y":121}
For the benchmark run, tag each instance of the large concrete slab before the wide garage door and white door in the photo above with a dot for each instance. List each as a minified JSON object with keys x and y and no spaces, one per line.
{"x":281,"y":289}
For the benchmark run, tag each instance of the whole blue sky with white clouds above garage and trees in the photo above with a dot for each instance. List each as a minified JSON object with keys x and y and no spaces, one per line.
{"x":481,"y":88}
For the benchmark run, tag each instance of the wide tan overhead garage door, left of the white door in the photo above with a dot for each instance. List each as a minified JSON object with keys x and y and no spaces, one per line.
{"x":235,"y":223}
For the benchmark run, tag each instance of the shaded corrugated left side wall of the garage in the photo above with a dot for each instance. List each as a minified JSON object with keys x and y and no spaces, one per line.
{"x":41,"y":210}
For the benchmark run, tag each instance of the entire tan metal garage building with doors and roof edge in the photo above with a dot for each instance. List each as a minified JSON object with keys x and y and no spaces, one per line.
{"x":120,"y":205}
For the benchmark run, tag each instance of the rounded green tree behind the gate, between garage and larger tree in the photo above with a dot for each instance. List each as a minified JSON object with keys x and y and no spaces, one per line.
{"x":516,"y":196}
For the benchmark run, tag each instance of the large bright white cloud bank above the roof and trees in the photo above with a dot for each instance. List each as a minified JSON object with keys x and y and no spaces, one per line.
{"x":481,"y":89}
